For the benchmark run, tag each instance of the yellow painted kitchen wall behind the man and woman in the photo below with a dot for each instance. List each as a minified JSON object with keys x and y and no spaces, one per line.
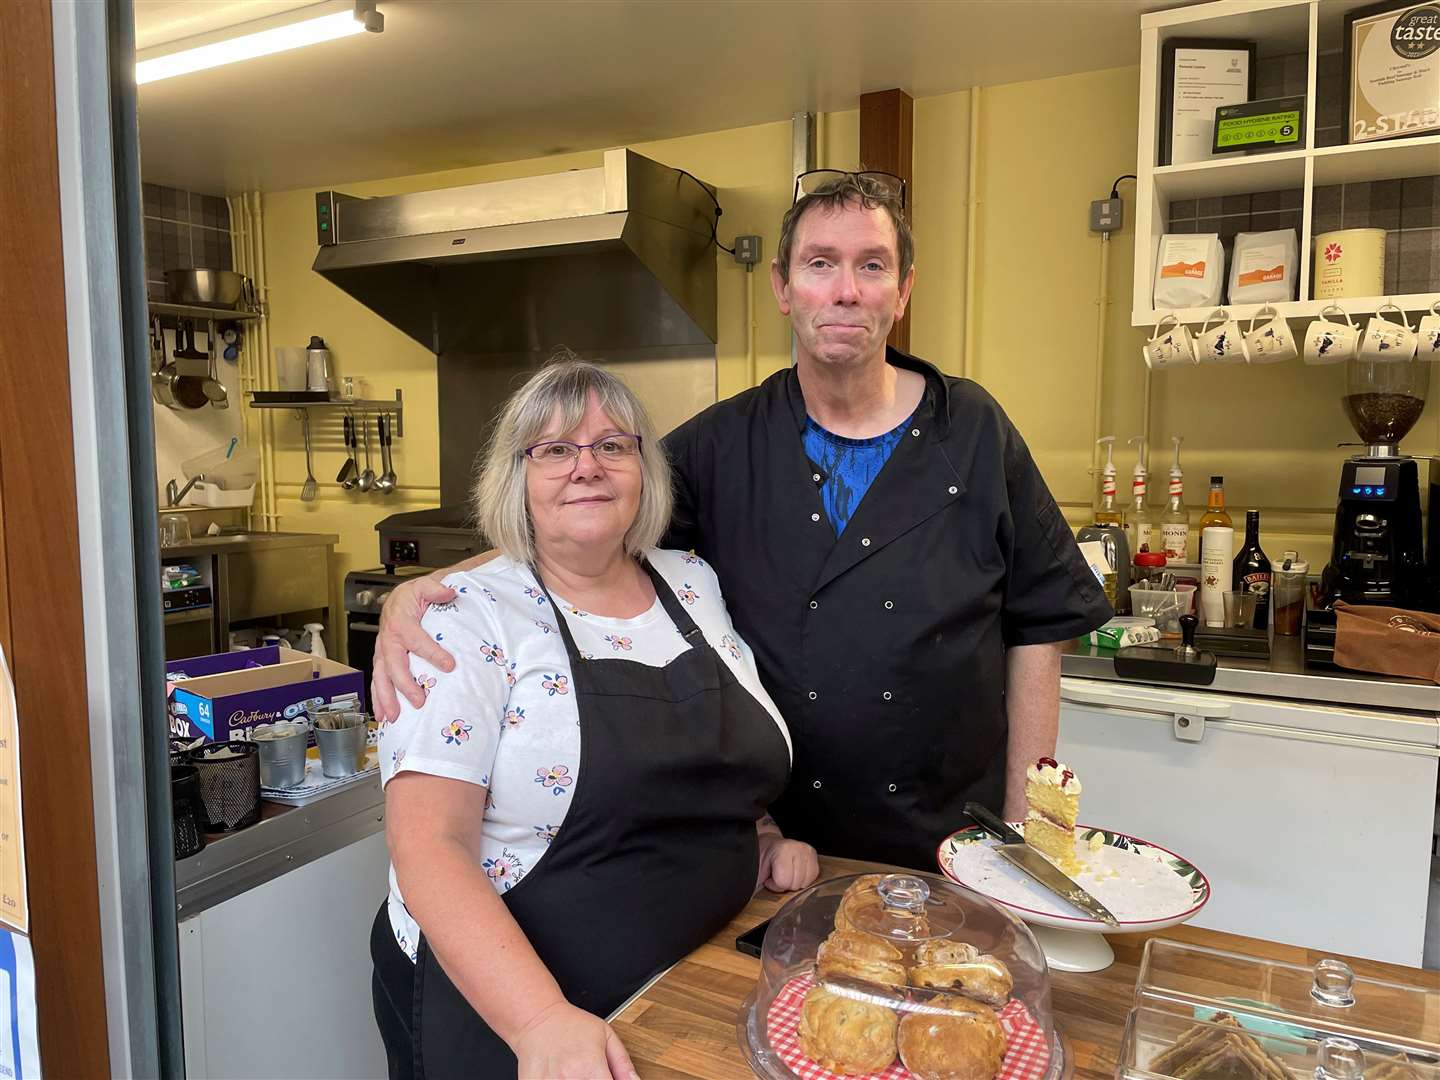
{"x":1046,"y":150}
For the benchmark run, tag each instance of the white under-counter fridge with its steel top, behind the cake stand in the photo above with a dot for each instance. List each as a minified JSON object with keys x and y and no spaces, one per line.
{"x":1314,"y":819}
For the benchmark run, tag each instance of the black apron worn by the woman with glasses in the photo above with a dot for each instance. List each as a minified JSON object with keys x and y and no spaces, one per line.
{"x":657,"y":852}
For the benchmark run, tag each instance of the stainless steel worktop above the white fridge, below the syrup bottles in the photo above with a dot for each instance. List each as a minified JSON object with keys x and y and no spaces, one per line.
{"x":1285,"y":676}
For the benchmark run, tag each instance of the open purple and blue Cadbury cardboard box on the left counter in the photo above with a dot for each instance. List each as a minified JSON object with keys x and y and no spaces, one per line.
{"x":227,"y":695}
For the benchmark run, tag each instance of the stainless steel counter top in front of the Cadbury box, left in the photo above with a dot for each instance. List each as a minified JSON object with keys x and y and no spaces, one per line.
{"x":279,"y":845}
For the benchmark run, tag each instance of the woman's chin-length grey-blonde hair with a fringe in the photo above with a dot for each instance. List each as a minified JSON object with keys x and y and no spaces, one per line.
{"x":564,"y":385}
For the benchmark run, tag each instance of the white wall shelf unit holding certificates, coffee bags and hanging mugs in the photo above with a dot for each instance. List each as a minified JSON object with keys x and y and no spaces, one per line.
{"x":1281,"y":30}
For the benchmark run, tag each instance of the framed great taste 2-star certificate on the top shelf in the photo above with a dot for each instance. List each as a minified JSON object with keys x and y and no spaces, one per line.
{"x":1392,"y":71}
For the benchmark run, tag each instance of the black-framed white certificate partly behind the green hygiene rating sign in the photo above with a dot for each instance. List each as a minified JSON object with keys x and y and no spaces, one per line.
{"x":1197,"y":77}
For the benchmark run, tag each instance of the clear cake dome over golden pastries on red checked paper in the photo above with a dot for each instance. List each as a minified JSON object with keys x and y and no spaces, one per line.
{"x":898,"y":976}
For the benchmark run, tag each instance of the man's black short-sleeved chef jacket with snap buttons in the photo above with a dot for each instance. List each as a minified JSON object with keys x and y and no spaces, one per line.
{"x":885,"y":649}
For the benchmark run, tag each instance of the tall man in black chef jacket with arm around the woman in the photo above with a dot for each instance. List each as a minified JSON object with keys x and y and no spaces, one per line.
{"x":886,"y":545}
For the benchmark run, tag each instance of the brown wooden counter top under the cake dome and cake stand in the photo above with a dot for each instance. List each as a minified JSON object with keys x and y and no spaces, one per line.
{"x":685,"y":1026}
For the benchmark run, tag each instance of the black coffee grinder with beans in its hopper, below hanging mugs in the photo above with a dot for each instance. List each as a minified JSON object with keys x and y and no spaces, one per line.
{"x":1379,"y":551}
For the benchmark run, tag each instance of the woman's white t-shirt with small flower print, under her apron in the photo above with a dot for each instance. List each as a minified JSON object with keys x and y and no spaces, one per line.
{"x":506,"y":716}
